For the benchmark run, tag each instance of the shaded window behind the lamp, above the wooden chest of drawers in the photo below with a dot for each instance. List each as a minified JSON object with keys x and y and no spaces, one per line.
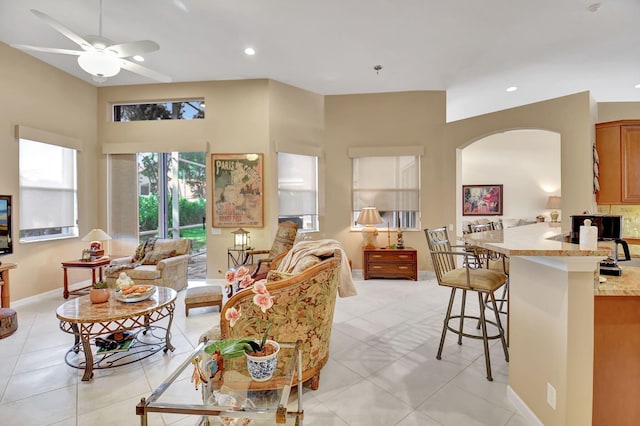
{"x":392,"y":185}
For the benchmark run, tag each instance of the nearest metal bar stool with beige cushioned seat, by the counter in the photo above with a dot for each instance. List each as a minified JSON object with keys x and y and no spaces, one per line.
{"x":481,"y":281}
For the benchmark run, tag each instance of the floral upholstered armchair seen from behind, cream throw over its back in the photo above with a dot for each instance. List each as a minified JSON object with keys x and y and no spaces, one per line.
{"x":303,"y":306}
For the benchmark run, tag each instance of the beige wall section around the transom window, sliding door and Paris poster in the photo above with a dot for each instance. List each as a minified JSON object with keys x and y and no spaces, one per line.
{"x":236,"y":121}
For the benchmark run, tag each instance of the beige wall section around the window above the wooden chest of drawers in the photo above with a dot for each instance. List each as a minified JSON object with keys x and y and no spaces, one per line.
{"x":378,"y":120}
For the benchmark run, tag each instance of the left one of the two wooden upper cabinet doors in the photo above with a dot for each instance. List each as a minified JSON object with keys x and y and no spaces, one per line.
{"x":608,"y":146}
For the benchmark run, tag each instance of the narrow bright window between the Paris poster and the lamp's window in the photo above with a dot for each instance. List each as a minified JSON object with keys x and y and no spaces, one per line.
{"x":298,"y":190}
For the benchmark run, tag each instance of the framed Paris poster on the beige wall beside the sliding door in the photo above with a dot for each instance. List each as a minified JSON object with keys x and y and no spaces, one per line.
{"x":238,"y":198}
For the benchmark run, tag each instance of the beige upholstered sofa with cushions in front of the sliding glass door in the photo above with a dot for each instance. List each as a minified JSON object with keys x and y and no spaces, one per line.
{"x":163,"y":263}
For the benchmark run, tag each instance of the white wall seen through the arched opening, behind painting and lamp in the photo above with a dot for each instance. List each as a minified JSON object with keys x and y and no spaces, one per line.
{"x":526,"y":162}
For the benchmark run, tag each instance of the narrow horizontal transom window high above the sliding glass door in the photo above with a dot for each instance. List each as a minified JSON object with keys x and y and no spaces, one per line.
{"x":181,"y":110}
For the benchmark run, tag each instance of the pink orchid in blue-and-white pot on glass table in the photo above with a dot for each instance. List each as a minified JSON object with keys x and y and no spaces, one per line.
{"x":261,"y":353}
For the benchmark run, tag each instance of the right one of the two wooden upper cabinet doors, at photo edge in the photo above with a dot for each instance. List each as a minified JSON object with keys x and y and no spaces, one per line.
{"x":630,"y":139}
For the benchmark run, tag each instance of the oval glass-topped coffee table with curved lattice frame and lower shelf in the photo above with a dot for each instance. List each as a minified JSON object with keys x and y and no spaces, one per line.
{"x":138,"y":321}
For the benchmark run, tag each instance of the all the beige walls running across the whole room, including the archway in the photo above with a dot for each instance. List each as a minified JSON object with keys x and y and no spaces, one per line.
{"x":257,"y":115}
